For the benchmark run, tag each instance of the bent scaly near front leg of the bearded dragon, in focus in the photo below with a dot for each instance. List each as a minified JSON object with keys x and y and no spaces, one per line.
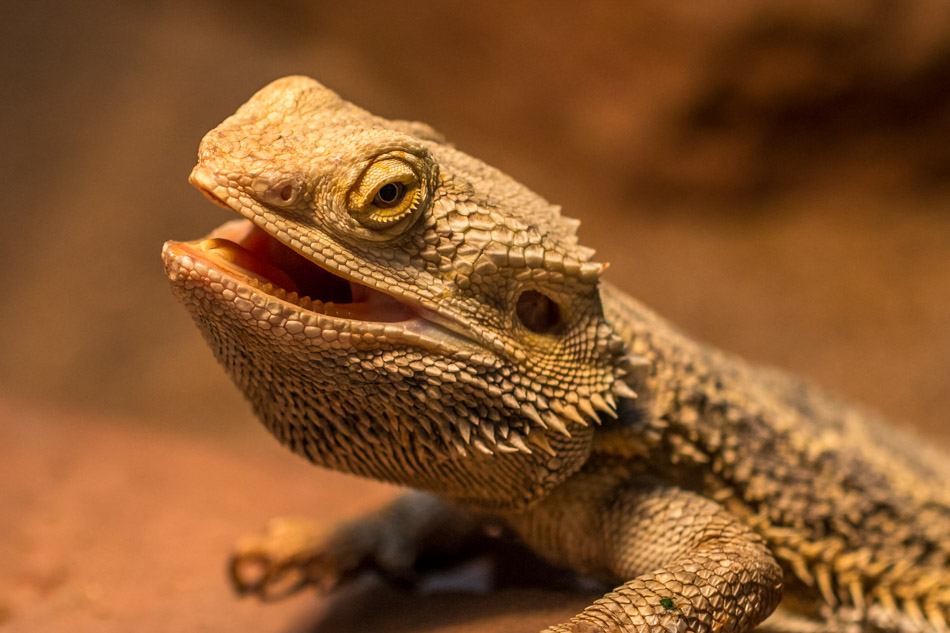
{"x":694,"y":567}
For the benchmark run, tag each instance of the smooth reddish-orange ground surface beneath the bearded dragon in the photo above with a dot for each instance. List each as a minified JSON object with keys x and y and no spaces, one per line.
{"x":132,"y":530}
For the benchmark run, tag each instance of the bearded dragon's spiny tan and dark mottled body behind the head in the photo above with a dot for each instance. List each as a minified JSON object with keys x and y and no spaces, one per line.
{"x":818,"y":478}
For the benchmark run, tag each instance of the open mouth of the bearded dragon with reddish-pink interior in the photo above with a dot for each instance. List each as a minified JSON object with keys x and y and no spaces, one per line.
{"x":243,"y":257}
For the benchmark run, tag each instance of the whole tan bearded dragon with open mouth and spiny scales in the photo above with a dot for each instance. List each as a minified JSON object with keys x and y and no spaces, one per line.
{"x":474,"y":353}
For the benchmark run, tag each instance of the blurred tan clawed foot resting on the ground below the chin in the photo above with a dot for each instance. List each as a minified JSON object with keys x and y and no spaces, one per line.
{"x":289,"y":555}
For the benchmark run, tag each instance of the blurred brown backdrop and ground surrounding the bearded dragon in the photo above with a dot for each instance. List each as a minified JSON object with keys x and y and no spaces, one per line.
{"x":772,"y":176}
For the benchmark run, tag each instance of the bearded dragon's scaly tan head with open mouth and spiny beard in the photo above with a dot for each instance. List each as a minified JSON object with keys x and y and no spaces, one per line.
{"x":393,"y":307}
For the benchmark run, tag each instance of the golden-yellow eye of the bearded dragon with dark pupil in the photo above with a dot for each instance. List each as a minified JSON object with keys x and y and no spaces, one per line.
{"x":387,"y":192}
